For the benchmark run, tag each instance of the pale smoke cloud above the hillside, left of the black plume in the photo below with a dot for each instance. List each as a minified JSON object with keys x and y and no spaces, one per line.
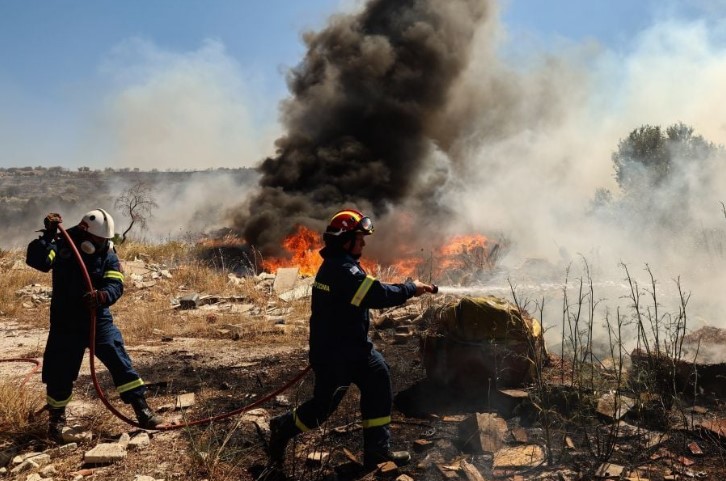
{"x":167,"y":110}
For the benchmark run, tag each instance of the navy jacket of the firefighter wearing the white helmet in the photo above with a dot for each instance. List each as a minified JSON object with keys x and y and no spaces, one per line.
{"x":104,"y":268}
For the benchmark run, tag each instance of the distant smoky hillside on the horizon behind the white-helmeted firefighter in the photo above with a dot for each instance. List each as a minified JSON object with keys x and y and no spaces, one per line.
{"x":189,"y":202}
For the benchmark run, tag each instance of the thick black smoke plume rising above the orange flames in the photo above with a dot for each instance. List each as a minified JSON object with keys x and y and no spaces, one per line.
{"x":362,"y":120}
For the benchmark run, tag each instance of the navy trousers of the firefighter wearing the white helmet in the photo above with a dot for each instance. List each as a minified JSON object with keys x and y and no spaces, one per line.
{"x":64,"y":352}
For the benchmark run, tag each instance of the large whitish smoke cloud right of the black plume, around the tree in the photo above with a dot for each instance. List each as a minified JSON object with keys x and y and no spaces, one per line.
{"x":542,"y":129}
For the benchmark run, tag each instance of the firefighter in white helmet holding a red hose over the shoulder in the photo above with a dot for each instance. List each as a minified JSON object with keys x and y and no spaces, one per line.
{"x":70,"y":314}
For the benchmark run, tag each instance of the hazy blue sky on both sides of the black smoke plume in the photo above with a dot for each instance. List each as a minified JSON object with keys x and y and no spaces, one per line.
{"x":194,"y":84}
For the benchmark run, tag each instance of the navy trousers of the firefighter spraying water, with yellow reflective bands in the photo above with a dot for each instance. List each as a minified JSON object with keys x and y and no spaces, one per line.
{"x":376,"y":397}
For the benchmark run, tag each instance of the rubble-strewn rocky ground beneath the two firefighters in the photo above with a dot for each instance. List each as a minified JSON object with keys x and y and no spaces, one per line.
{"x":550,"y":431}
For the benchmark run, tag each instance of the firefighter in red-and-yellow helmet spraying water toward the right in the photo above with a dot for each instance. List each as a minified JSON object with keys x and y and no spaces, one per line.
{"x":341,"y":352}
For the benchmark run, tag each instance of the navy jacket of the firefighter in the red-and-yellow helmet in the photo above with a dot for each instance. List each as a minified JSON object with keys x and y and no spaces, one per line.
{"x":341,"y":296}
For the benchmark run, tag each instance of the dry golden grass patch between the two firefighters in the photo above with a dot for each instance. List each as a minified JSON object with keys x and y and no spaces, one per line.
{"x":147,"y":313}
